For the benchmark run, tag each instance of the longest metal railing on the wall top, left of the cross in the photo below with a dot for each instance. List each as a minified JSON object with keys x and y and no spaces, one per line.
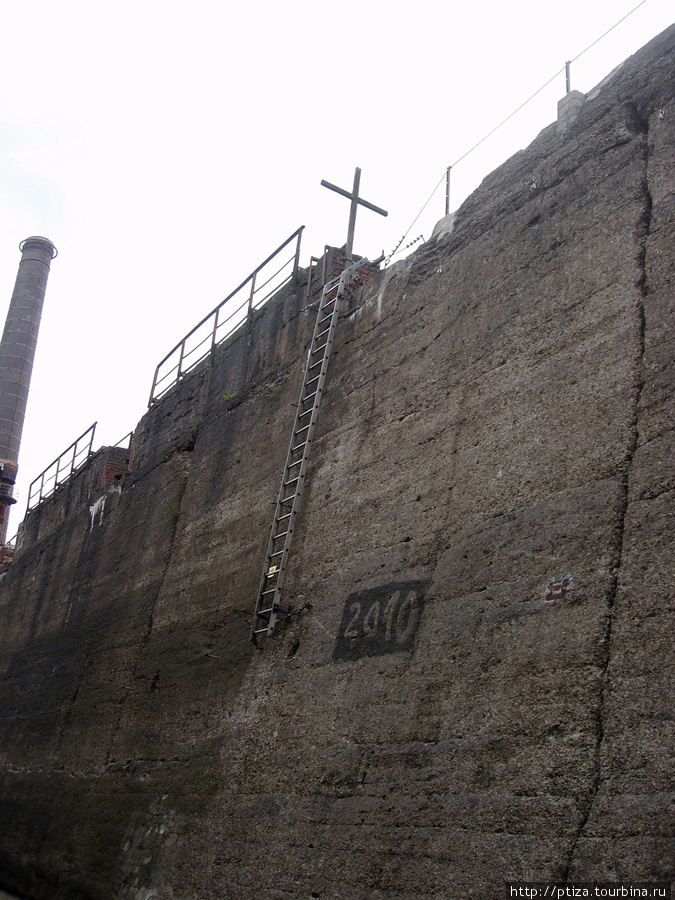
{"x":220,"y":323}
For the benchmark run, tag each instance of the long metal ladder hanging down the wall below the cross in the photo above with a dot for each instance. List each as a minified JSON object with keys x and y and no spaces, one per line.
{"x":278,"y":548}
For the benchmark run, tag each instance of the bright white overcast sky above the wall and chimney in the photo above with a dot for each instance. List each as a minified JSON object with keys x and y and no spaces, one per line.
{"x":168,"y":148}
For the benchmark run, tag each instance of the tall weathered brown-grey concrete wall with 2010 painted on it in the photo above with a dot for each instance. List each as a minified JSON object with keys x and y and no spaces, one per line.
{"x":482,"y":687}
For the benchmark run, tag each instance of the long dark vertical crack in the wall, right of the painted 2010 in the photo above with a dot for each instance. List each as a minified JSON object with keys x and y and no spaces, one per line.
{"x":643,"y":229}
